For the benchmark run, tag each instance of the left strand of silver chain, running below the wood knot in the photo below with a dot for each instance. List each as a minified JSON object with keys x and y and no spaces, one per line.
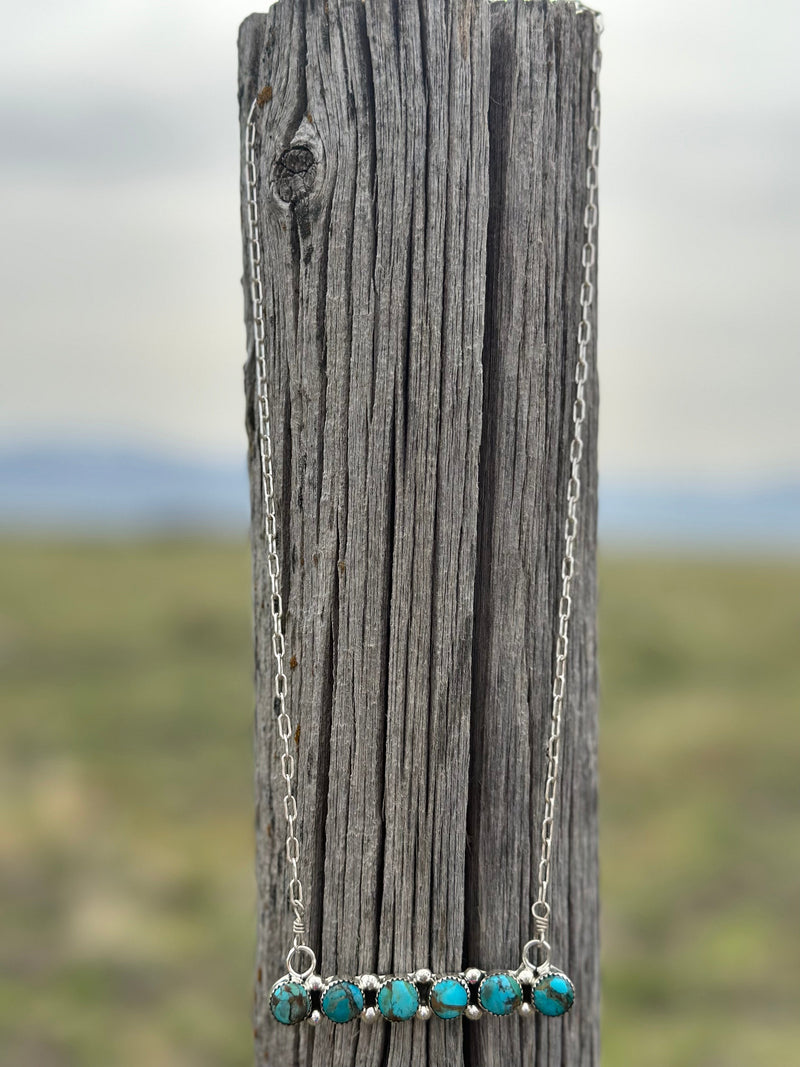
{"x":270,"y":524}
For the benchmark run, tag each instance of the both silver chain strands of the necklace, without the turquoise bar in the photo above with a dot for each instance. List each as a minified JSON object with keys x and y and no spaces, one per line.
{"x":541,"y":907}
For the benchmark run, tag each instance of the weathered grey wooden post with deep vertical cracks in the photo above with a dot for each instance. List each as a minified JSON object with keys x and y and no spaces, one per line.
{"x":423,"y":182}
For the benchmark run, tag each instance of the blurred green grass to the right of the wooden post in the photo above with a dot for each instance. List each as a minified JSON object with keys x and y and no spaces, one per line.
{"x":700,"y":800}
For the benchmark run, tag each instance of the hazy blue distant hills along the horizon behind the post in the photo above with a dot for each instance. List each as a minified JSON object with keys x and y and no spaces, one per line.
{"x":86,"y":490}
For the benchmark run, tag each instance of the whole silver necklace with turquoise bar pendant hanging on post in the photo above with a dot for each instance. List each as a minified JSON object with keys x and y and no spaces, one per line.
{"x":536,"y":985}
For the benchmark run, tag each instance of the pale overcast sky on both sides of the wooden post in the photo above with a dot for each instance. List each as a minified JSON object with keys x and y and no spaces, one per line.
{"x":121,"y":308}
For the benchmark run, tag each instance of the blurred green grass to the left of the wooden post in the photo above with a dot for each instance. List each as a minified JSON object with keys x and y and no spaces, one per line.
{"x":126,"y":829}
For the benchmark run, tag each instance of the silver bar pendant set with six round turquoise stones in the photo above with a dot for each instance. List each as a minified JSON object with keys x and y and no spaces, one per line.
{"x":422,"y":995}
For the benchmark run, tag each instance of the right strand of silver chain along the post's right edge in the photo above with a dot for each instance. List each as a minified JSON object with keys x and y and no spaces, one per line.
{"x":541,"y":907}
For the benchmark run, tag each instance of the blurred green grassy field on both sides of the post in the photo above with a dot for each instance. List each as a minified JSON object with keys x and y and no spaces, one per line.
{"x":126,"y":883}
